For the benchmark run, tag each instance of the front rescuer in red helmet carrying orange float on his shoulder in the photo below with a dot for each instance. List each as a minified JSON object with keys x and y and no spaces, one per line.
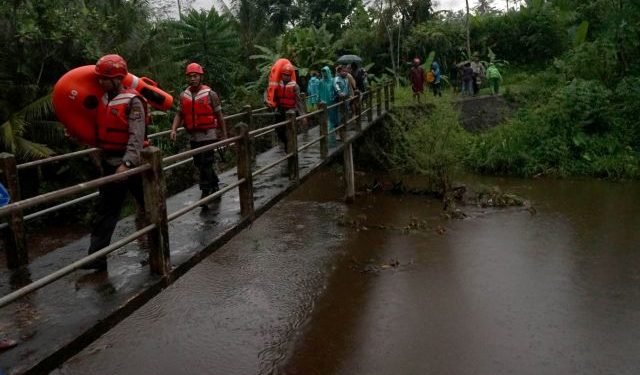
{"x":122,"y":114}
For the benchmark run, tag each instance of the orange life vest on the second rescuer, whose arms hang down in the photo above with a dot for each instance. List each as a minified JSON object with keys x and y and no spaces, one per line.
{"x":197,"y":111}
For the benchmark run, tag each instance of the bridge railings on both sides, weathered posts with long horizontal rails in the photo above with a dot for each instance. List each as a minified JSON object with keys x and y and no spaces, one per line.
{"x":152,"y":173}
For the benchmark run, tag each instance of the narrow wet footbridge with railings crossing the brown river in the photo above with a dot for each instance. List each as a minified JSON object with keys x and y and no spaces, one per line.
{"x":42,"y":305}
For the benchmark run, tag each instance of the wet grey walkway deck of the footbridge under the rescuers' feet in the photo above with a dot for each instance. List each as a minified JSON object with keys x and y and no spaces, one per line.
{"x":53,"y":323}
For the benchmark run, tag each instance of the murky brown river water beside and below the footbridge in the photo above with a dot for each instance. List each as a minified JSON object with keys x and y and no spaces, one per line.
{"x":389,"y":286}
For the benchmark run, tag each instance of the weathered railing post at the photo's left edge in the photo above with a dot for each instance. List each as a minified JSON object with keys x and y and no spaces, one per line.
{"x":15,"y":238}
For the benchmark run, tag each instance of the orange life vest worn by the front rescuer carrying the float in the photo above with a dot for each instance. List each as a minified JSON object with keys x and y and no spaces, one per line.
{"x":113,"y":122}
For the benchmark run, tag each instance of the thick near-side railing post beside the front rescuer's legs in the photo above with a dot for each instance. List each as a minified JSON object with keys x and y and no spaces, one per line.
{"x":155,"y":191}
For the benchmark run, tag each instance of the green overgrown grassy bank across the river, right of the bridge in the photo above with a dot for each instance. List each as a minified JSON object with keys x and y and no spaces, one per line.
{"x":561,"y":128}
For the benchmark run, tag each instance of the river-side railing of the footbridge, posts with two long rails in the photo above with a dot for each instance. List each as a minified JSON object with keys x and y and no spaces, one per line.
{"x":153,"y":181}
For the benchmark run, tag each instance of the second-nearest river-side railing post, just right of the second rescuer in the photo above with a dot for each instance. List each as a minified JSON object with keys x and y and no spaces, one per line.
{"x":245,"y":189}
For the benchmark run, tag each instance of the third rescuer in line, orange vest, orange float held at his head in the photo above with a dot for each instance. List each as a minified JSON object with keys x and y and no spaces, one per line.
{"x":287,"y":97}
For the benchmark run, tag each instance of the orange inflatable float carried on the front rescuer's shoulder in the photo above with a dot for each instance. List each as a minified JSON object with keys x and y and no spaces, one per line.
{"x":77,"y":93}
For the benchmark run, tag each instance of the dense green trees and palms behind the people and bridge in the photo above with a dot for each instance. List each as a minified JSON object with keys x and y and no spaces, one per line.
{"x":573,"y":71}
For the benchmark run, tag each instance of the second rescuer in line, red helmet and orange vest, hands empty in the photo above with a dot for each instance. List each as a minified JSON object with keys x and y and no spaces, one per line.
{"x":200,"y":112}
